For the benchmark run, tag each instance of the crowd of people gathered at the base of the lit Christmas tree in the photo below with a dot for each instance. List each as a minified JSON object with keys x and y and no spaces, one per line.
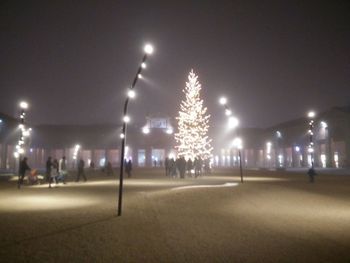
{"x":181,"y":166}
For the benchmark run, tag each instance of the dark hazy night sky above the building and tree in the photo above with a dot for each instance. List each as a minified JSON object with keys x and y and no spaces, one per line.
{"x":73,"y":60}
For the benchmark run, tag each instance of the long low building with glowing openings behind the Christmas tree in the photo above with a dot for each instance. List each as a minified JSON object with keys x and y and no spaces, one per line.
{"x":285,"y":145}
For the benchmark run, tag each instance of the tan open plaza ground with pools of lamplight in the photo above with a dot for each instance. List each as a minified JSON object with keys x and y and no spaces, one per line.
{"x":271,"y":217}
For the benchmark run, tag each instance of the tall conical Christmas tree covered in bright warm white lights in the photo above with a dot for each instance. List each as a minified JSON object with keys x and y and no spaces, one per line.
{"x":193,"y":123}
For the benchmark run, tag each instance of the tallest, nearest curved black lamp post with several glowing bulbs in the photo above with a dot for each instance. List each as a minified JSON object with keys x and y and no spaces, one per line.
{"x":148,"y":49}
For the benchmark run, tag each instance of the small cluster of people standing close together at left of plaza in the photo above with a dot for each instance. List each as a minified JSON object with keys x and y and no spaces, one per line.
{"x":56,"y":171}
